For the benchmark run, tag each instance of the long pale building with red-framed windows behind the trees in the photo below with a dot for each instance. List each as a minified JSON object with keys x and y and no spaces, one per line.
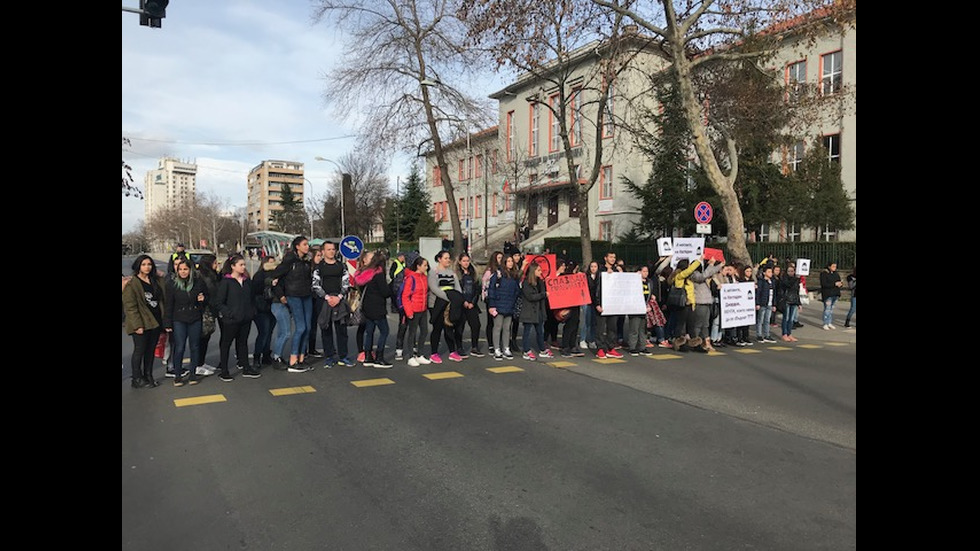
{"x":516,"y":172}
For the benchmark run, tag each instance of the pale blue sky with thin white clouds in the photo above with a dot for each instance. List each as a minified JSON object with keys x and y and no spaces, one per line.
{"x":228,"y":85}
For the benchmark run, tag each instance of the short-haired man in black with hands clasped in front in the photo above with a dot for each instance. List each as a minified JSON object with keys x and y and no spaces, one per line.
{"x":334,"y":312}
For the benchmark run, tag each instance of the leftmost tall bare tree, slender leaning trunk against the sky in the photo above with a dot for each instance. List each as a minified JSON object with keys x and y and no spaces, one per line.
{"x":403,"y":78}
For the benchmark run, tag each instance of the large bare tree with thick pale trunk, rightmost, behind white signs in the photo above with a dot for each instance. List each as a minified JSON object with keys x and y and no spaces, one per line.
{"x":692,"y":34}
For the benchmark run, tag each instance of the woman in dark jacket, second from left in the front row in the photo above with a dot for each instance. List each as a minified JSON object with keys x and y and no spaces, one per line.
{"x":182,"y":316}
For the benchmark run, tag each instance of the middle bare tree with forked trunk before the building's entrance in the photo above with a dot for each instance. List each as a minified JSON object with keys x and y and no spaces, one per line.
{"x":575,"y":53}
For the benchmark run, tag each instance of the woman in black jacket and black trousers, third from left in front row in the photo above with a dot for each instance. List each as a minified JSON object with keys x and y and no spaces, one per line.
{"x":235,"y":305}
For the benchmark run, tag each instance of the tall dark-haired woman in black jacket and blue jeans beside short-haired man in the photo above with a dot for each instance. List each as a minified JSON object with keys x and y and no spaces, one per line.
{"x":297,"y":277}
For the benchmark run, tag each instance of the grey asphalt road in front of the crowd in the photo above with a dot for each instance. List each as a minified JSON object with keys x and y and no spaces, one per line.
{"x":747,"y":449}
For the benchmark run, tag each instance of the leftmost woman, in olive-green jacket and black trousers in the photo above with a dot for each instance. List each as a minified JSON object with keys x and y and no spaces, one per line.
{"x":144,"y":298}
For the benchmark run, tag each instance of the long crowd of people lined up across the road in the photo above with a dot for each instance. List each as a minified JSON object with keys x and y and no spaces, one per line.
{"x":311,"y":292}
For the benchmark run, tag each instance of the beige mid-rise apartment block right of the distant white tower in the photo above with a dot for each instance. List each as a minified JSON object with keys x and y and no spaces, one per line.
{"x":265,"y":186}
